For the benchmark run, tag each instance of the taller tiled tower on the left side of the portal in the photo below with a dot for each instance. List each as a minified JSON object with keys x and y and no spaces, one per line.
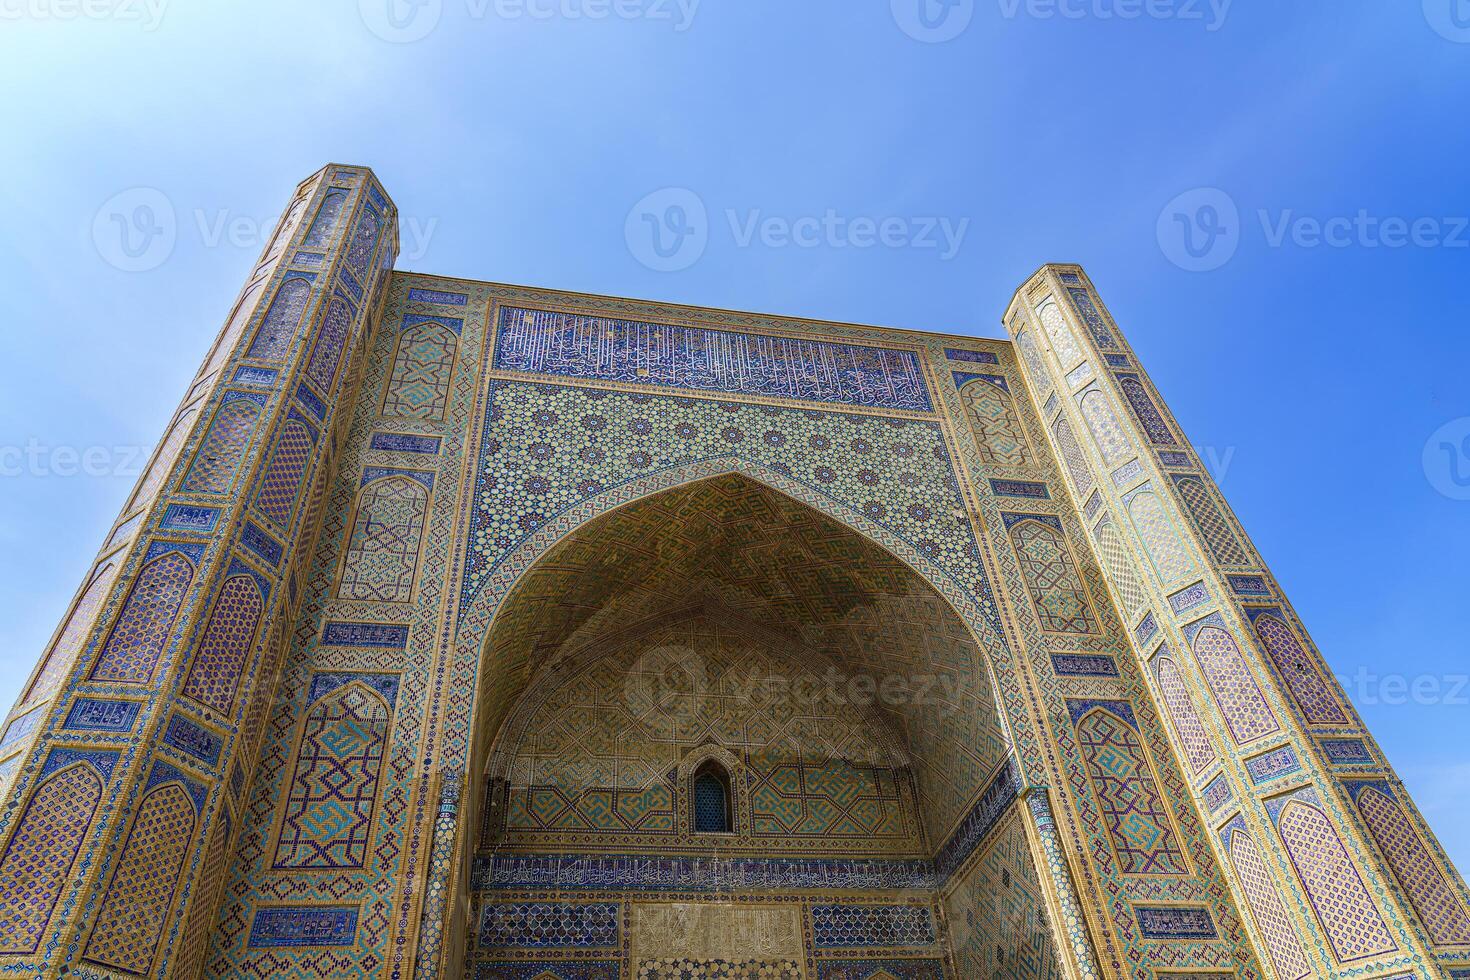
{"x":130,"y":752}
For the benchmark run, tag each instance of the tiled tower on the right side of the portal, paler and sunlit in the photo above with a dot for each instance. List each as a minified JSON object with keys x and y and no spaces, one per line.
{"x":1335,"y":868}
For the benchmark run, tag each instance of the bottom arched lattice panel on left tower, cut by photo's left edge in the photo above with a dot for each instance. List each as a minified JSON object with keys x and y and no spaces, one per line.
{"x":40,"y":854}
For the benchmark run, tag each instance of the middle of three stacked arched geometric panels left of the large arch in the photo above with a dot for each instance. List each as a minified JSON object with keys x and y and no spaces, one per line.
{"x":383,"y":555}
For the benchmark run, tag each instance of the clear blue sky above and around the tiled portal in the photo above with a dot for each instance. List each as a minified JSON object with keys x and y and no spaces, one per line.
{"x":1322,"y":372}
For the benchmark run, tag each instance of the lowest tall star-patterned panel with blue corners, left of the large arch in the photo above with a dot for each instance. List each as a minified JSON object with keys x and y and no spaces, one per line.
{"x":334,"y":791}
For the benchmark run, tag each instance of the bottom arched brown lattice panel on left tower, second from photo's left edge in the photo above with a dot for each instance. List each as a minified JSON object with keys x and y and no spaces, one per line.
{"x":137,"y":904}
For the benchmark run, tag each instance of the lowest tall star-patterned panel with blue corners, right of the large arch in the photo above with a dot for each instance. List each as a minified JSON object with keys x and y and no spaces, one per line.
{"x":1125,"y":791}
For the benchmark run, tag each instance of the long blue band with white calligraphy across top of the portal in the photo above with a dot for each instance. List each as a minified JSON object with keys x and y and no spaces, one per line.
{"x":551,"y":343}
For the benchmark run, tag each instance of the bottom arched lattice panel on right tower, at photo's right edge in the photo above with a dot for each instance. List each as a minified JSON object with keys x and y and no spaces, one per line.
{"x":1440,"y":909}
